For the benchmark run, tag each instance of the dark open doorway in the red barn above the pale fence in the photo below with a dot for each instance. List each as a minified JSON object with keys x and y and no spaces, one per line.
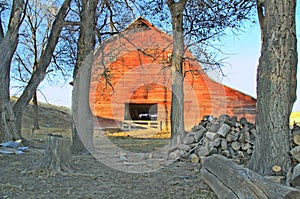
{"x":135,"y":111}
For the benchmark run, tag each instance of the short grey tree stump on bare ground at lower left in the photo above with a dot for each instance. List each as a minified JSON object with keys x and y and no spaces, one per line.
{"x":57,"y":156}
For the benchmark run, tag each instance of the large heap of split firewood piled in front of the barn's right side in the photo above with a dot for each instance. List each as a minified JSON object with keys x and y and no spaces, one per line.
{"x":225,"y":135}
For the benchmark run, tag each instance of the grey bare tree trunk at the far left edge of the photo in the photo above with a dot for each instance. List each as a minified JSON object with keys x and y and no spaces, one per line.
{"x":8,"y":45}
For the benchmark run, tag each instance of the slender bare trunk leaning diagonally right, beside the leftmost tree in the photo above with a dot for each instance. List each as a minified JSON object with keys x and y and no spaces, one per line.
{"x":40,"y":72}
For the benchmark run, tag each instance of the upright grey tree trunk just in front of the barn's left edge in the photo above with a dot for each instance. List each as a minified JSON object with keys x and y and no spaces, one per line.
{"x":83,"y":123}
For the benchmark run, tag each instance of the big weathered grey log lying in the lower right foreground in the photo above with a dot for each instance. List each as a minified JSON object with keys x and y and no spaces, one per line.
{"x":230,"y":180}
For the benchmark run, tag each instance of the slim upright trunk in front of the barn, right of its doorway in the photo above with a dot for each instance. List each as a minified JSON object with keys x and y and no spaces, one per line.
{"x":177,"y":107}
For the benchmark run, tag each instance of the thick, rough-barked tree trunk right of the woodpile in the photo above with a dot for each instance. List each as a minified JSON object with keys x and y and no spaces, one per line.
{"x":276,"y":86}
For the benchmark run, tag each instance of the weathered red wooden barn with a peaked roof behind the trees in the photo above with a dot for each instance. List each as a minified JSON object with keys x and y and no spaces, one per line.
{"x":131,"y":83}
